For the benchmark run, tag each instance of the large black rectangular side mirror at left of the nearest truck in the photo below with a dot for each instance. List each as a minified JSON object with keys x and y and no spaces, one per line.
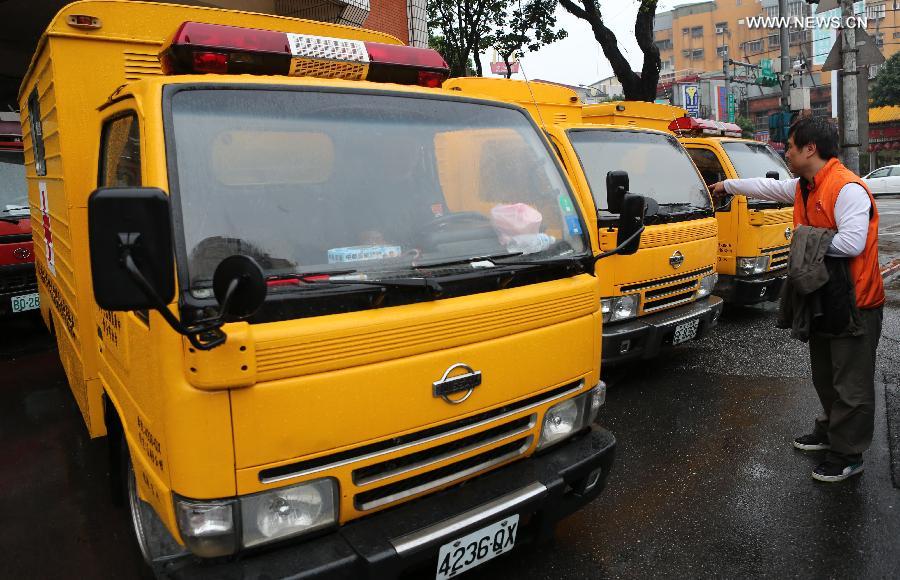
{"x":130,"y":226}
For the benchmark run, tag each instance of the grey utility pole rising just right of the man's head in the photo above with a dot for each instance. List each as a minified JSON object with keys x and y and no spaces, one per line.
{"x":849,"y":75}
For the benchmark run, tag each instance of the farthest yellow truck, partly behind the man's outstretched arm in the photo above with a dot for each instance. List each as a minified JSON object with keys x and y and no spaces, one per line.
{"x":754,"y":235}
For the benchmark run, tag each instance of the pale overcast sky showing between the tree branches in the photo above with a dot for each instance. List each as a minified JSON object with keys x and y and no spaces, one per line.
{"x":578,"y":59}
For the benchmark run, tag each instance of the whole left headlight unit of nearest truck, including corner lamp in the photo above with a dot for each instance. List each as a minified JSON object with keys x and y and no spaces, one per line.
{"x":209,"y":527}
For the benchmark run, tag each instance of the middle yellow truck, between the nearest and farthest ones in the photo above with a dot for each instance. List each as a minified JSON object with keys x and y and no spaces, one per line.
{"x":660,"y":295}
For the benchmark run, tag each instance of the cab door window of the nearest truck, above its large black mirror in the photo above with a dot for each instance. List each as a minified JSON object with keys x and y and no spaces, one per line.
{"x":120,"y":153}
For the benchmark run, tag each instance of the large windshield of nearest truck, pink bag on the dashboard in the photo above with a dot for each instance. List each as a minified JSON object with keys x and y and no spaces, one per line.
{"x":376,"y":184}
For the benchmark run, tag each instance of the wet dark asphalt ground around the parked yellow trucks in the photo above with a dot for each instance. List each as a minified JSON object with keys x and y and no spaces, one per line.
{"x":705,"y":484}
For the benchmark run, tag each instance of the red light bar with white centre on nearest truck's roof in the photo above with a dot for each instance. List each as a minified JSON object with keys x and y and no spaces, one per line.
{"x":216,"y":48}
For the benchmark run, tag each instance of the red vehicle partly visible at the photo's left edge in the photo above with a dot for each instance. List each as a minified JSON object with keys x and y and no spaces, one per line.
{"x":18,"y":285}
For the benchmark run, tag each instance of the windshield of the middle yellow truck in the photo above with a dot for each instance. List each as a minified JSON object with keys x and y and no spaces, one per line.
{"x":657,"y":166}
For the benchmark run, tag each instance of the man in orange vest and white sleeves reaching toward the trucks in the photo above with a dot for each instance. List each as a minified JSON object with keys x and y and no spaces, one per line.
{"x":828,"y":195}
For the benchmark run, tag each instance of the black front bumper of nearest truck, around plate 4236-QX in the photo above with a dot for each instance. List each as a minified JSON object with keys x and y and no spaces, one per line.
{"x":541,"y":489}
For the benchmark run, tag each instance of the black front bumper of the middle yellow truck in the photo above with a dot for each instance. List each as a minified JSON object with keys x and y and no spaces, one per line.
{"x":643,"y":337}
